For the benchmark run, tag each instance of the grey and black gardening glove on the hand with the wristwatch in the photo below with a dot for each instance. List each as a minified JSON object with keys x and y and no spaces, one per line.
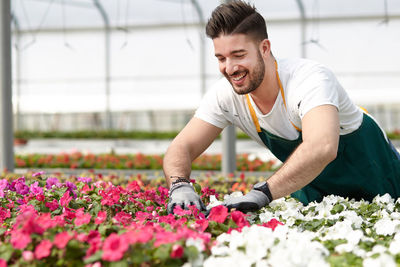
{"x":257,"y":198}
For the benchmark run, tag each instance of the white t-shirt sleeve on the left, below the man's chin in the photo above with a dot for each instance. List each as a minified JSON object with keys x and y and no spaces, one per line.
{"x":210,"y":109}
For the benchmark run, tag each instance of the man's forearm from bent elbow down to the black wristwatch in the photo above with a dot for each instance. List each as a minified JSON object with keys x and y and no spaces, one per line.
{"x":303,"y":166}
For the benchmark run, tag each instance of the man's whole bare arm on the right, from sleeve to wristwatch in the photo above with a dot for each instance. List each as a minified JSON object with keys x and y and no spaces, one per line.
{"x":320,"y":129}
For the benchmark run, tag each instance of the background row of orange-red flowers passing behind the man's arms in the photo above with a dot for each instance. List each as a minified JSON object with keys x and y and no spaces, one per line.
{"x":245,"y":162}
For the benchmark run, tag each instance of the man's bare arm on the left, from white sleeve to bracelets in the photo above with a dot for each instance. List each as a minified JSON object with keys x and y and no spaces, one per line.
{"x":193,"y":140}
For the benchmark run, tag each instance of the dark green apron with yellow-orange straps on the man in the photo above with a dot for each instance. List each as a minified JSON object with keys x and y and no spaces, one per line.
{"x":366,"y":164}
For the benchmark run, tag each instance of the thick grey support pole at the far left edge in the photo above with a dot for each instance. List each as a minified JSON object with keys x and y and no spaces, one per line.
{"x":6,"y":115}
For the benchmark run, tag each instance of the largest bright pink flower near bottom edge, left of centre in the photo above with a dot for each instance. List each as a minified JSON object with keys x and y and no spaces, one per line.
{"x":114,"y":247}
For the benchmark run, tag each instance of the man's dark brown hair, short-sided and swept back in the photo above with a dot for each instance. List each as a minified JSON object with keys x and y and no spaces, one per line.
{"x":236,"y":17}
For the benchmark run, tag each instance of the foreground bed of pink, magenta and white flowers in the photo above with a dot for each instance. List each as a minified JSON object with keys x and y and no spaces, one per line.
{"x":49,"y":220}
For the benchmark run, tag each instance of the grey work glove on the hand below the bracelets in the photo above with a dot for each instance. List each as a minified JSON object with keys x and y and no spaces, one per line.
{"x":184,"y":195}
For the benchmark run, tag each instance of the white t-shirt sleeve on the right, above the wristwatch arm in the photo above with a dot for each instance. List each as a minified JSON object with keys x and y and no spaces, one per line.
{"x":315,"y":88}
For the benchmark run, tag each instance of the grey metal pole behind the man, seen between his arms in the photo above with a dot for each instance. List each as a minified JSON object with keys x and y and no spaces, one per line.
{"x":228,"y":144}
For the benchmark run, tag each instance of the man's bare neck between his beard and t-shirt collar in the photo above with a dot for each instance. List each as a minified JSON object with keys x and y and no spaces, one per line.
{"x":265,"y":95}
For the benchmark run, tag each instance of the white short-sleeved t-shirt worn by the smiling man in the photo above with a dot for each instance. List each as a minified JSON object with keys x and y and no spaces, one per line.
{"x":306,"y":85}
